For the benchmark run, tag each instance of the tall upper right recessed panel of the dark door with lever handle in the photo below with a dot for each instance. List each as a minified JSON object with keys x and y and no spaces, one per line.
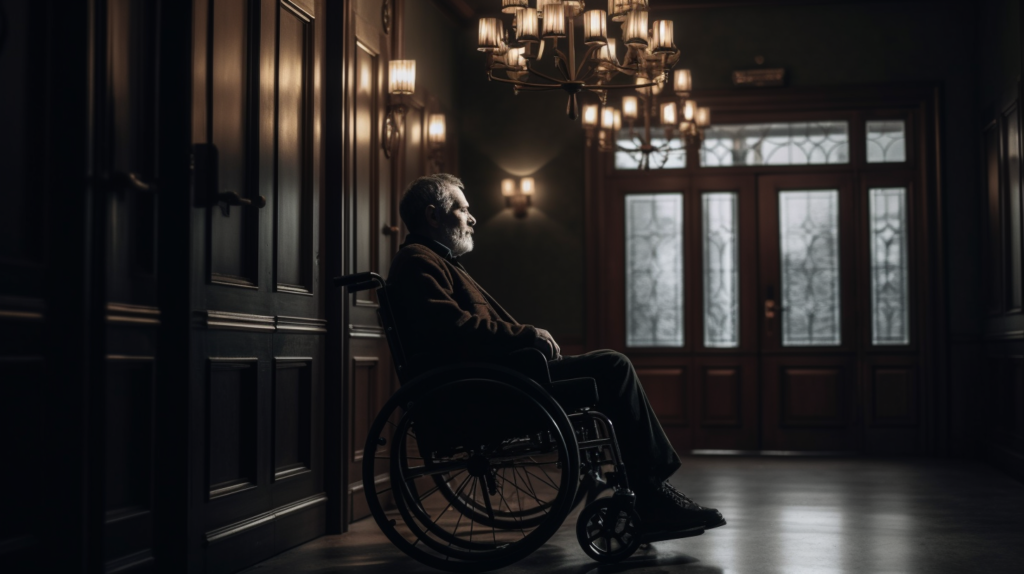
{"x":294,"y":226}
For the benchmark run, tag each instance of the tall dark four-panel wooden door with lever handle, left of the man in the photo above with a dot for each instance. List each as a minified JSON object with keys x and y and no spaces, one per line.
{"x":258,"y":349}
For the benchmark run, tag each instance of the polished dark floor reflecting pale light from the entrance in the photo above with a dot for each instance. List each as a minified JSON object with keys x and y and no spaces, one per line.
{"x":792,"y":516}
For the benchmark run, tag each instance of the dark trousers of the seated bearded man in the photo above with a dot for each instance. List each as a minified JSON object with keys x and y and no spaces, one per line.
{"x":649,"y":455}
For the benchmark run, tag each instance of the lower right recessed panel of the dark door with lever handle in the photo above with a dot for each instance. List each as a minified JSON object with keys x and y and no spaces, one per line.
{"x":292,"y":422}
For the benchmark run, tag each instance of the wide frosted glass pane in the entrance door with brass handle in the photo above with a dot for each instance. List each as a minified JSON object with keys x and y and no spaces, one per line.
{"x":808,"y":225}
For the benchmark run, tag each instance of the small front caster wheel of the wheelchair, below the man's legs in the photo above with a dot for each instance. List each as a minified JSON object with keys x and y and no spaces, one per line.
{"x":609,"y":531}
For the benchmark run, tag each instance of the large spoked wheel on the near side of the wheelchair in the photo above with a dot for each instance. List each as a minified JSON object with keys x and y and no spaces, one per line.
{"x":471,"y":469}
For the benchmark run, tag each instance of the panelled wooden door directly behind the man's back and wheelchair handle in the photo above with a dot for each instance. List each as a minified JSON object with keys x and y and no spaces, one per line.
{"x":372,"y":230}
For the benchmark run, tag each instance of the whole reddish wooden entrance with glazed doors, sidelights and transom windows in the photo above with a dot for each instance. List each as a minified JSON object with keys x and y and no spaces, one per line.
{"x":770,"y":294}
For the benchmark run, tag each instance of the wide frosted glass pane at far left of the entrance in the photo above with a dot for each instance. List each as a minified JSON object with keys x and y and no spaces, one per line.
{"x":655,"y":271}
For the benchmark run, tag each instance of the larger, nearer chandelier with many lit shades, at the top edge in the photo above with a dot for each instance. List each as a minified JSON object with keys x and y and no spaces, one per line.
{"x":516,"y":52}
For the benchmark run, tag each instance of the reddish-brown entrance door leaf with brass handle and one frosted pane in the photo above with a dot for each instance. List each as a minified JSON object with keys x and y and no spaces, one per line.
{"x":808,"y":290}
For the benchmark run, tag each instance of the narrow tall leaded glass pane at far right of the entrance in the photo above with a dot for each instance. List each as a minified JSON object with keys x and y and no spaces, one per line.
{"x":890,"y":290}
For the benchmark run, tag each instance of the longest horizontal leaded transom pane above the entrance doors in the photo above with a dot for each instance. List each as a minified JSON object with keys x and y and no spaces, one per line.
{"x":793,"y":144}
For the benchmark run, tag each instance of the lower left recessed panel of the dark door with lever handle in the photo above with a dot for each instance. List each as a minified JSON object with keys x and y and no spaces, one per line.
{"x":232,"y":426}
